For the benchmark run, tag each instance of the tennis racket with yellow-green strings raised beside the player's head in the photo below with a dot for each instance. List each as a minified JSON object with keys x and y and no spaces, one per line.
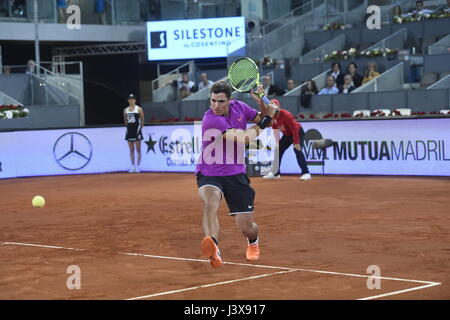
{"x":243,"y":75}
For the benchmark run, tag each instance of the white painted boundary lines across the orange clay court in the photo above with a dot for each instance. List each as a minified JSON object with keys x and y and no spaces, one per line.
{"x":287,"y":269}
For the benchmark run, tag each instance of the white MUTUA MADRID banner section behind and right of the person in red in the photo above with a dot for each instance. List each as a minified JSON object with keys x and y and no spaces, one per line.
{"x":379,"y":147}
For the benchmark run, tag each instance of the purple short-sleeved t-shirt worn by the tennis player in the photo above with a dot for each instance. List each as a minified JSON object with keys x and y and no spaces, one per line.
{"x":223,"y":158}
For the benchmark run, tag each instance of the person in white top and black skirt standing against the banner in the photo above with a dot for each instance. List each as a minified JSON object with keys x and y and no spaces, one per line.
{"x":133,"y":116}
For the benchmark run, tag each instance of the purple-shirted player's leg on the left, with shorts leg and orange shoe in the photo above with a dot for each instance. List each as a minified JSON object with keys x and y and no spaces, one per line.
{"x":211,"y":193}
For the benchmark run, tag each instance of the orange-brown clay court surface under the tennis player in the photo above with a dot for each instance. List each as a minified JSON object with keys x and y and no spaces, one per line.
{"x":137,"y":236}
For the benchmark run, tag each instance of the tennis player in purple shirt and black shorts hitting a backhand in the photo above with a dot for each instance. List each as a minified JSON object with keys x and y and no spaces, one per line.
{"x":221,"y":170}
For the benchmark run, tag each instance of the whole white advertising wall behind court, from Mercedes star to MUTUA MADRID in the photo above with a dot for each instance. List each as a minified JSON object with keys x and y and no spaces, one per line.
{"x":369,"y":147}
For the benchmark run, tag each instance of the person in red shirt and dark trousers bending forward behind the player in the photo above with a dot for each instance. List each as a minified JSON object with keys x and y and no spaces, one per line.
{"x":293,"y":133}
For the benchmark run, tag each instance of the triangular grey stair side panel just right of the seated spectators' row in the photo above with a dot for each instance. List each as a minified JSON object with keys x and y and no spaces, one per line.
{"x":390,"y":80}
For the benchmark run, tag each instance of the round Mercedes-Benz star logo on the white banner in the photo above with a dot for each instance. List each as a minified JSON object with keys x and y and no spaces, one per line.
{"x":72,"y":151}
